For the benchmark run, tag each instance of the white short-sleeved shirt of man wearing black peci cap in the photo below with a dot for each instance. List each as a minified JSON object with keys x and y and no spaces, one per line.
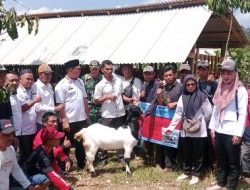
{"x":71,"y":93}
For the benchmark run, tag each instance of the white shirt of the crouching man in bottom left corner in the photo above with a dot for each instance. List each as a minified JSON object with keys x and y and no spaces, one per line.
{"x":8,"y":164}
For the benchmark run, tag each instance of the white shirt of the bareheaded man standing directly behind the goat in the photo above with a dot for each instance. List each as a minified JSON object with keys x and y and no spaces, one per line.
{"x":110,"y":109}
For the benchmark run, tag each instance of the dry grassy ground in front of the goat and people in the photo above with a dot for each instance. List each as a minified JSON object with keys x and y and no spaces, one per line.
{"x":113,"y":176}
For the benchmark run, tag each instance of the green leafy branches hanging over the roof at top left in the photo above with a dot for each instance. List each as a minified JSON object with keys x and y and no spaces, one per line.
{"x":9,"y":22}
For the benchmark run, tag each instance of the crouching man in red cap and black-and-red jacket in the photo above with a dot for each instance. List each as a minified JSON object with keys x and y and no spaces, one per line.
{"x":42,"y":166}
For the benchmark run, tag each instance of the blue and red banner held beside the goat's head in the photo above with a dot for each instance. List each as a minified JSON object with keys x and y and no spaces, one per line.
{"x":154,"y":127}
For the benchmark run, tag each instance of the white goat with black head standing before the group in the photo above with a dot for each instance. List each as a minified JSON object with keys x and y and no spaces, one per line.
{"x":98,"y":136}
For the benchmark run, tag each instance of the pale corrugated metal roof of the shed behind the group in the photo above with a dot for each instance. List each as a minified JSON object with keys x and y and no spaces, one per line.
{"x":147,"y":37}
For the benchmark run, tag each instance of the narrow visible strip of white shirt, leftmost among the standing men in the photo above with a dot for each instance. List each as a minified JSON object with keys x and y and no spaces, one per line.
{"x":17,"y":114}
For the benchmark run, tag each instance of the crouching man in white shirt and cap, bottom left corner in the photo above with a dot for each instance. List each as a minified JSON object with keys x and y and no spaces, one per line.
{"x":8,"y":161}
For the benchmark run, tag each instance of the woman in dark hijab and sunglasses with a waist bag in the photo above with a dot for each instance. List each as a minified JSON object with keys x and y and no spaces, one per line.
{"x":193,"y":105}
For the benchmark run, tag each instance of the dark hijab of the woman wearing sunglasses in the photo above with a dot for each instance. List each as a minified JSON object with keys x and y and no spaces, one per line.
{"x":192,"y":101}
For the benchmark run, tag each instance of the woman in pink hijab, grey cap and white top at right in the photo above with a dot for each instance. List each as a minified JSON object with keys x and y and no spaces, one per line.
{"x":227,"y":125}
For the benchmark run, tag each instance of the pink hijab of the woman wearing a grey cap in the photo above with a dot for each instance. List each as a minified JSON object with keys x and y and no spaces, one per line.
{"x":224,"y":94}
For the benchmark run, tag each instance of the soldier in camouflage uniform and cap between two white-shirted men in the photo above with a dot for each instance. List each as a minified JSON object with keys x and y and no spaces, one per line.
{"x":90,"y":80}
